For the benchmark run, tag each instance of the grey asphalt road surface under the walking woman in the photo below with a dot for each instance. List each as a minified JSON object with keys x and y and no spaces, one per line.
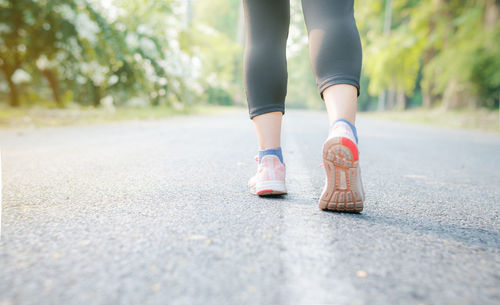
{"x":158,"y":212}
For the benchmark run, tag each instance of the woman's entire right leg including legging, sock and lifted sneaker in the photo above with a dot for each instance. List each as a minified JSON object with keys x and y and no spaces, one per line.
{"x":335,"y":52}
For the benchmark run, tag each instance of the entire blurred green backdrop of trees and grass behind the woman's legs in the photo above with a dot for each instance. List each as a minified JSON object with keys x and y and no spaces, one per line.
{"x":175,"y":54}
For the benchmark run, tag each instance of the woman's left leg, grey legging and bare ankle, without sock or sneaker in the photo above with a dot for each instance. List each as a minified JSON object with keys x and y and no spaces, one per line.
{"x":265,"y":69}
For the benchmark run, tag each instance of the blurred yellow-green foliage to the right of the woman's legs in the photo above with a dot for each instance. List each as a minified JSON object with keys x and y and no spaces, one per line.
{"x":454,"y":44}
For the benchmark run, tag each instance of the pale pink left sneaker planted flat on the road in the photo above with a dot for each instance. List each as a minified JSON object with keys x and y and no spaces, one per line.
{"x":270,"y":177}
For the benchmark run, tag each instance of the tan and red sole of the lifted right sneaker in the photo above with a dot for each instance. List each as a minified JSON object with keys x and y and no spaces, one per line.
{"x":342,"y":192}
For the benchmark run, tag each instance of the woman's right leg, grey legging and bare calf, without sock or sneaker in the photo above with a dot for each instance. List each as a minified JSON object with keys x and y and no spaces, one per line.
{"x":335,"y":52}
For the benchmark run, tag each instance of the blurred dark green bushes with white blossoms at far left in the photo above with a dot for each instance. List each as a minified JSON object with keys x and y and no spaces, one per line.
{"x":80,"y":49}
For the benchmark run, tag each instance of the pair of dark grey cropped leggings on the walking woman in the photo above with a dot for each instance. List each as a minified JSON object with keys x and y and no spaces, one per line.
{"x":334,"y":49}
